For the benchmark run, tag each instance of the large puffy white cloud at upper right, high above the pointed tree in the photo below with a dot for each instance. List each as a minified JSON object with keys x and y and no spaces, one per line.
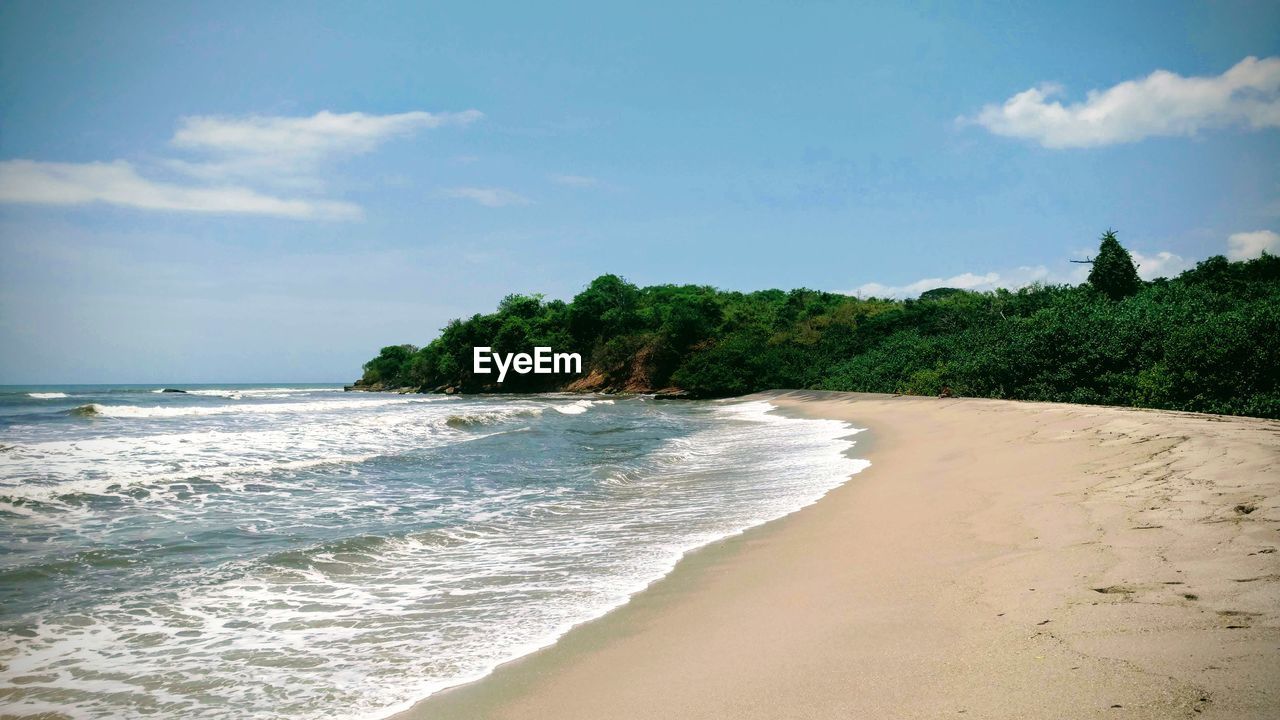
{"x":1160,"y":104}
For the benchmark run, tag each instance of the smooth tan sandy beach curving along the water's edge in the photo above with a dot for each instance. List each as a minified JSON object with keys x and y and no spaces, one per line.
{"x":996,"y":560}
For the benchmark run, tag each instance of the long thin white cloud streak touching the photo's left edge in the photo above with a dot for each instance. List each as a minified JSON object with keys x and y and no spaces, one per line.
{"x":120,"y":184}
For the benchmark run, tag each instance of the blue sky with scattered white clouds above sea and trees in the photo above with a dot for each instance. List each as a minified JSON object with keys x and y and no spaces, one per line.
{"x":271,"y":193}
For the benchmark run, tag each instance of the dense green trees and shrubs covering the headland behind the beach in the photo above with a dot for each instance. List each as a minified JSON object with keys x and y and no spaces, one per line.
{"x":1206,"y":341}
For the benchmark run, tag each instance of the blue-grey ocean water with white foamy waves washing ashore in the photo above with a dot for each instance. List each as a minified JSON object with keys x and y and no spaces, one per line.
{"x":252,"y":552}
